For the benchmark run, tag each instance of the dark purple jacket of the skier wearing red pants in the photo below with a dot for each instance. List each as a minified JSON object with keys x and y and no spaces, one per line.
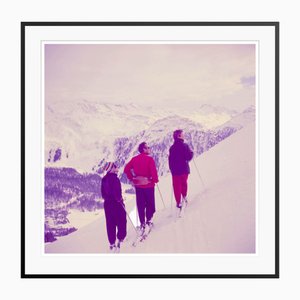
{"x":179,"y":156}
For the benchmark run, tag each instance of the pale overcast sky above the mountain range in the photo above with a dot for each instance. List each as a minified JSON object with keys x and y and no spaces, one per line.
{"x":181,"y":75}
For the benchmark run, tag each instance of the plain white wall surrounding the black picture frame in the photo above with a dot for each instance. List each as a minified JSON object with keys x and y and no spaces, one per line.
{"x":12,"y":13}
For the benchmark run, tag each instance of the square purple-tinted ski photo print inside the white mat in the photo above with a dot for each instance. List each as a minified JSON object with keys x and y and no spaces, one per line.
{"x":150,"y":148}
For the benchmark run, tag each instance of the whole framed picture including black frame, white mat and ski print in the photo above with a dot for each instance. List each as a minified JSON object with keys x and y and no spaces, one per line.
{"x":150,"y":149}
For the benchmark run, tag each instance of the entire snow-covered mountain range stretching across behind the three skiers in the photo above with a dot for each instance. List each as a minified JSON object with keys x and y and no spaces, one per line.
{"x":84,"y":134}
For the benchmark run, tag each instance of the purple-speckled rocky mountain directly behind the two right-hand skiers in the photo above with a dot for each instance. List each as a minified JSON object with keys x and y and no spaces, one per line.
{"x":159,"y":137}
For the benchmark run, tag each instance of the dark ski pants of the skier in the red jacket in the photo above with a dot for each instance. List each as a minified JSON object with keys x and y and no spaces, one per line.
{"x":145,"y":202}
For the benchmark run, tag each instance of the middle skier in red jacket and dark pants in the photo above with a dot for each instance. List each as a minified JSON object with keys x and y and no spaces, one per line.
{"x":141,"y":170}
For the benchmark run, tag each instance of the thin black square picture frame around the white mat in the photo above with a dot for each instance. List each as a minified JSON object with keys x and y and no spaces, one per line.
{"x":24,"y":26}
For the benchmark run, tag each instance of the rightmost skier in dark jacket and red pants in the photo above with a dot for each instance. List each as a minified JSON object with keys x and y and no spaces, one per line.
{"x":179,"y":156}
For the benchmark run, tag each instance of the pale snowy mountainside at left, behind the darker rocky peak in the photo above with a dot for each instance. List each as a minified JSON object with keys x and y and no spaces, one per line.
{"x":77,"y":135}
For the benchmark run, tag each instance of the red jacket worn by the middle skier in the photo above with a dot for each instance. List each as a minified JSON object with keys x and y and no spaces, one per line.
{"x":142,"y":165}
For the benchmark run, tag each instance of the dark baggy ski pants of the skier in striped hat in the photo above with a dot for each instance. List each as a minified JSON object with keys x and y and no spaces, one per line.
{"x":115,"y":221}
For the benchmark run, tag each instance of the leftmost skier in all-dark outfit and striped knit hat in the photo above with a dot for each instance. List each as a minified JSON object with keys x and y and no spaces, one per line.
{"x":114,"y":207}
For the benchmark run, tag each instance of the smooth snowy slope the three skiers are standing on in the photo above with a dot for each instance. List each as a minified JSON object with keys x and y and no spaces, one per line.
{"x":219,"y":218}
